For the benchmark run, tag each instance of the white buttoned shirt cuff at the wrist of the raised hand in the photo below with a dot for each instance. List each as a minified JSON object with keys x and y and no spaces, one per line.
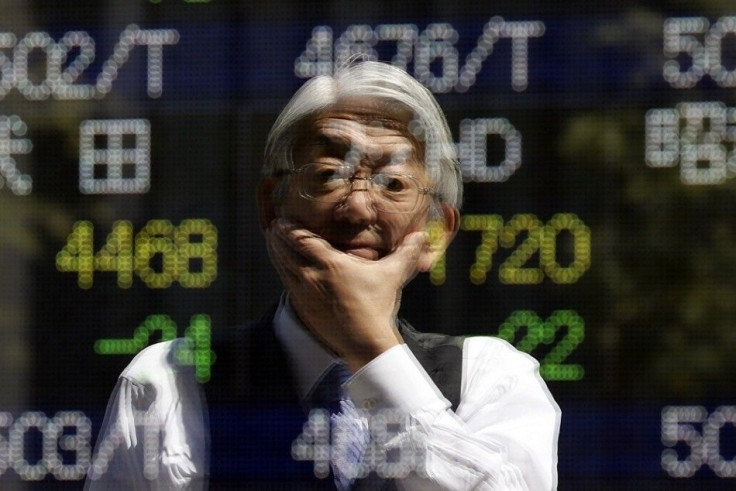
{"x":395,"y":379}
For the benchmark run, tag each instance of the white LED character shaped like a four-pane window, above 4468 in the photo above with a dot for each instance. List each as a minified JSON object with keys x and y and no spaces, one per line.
{"x":113,"y":157}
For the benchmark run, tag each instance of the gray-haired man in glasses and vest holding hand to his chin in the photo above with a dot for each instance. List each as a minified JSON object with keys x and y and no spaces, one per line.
{"x":359,"y":166}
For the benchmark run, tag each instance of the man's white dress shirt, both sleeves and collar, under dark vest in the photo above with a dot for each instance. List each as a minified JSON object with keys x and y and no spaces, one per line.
{"x":503,"y":435}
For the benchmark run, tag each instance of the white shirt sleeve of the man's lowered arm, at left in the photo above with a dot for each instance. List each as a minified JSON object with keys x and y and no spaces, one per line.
{"x":153,"y":436}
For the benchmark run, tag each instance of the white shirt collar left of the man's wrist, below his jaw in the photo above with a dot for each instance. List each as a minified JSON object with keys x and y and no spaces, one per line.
{"x":309,"y":359}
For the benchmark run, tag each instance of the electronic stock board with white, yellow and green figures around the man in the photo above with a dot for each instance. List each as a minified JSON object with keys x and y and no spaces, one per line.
{"x":597,"y":145}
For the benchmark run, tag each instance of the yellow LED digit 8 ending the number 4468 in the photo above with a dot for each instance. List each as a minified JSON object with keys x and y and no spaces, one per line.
{"x":196,"y":240}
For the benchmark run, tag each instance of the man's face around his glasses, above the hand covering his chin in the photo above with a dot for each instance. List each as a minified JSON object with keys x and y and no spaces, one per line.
{"x":352,"y":133}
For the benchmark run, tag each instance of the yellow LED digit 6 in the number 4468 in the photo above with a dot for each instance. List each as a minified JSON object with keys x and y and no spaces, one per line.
{"x":153,"y":240}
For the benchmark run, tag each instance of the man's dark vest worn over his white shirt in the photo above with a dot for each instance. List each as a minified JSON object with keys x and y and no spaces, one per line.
{"x":254,"y":412}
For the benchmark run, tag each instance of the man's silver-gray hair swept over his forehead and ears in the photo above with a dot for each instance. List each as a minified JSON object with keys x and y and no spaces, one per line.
{"x":373,"y":80}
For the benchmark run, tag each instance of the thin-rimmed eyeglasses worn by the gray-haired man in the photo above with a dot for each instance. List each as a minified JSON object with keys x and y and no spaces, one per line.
{"x":332,"y":183}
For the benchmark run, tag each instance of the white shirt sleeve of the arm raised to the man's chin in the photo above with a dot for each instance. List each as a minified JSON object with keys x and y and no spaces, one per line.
{"x":503,"y":435}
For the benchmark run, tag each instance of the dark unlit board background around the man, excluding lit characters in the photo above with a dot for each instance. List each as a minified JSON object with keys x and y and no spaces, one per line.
{"x":657,"y":301}
